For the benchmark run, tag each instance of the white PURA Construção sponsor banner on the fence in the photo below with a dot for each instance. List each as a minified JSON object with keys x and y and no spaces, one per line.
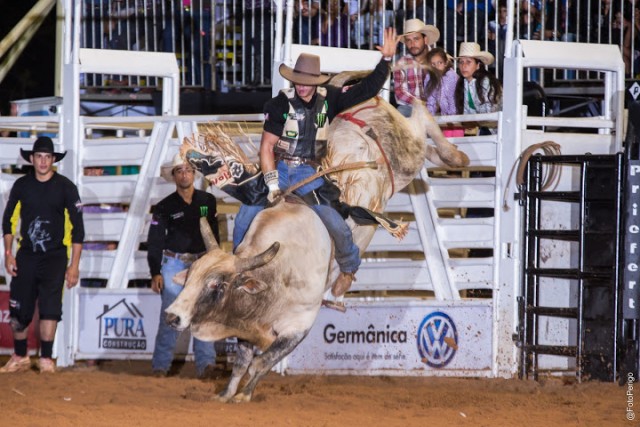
{"x":117,"y":322}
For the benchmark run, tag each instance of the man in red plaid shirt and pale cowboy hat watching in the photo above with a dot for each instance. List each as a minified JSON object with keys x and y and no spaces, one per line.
{"x":409,"y":72}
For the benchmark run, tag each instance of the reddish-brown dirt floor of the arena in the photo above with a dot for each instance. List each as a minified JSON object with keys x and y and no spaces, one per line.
{"x":126,"y":394}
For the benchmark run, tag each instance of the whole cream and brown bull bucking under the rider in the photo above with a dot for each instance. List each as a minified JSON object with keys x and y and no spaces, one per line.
{"x":268,"y":293}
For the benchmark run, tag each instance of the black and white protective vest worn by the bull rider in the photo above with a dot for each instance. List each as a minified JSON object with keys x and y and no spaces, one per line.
{"x":305,"y":129}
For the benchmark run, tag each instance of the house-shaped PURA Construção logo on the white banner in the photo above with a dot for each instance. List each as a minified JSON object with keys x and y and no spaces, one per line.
{"x":121,"y":327}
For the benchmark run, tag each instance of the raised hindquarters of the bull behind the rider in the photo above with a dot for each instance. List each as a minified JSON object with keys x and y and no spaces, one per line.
{"x":396,"y":143}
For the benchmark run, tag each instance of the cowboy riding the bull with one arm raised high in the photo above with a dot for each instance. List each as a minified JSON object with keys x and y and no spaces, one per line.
{"x":294,"y":141}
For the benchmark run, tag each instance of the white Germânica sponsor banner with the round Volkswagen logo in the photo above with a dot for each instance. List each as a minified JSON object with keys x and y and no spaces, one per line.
{"x":398,"y":337}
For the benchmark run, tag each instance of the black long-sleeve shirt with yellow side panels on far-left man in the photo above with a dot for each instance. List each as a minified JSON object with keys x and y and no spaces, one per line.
{"x":42,"y":212}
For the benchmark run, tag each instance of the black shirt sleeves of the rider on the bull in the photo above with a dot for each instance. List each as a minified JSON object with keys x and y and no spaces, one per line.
{"x":337,"y":99}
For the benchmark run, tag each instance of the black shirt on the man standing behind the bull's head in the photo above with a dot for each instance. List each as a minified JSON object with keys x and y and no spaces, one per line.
{"x":175,"y":226}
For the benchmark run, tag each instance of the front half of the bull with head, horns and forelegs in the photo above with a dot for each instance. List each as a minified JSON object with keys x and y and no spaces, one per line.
{"x":265,"y":299}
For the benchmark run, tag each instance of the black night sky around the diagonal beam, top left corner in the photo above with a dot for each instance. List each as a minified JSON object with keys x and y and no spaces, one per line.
{"x":33,"y":74}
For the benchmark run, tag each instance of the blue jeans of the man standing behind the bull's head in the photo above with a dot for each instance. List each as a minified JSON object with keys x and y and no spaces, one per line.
{"x":205,"y":354}
